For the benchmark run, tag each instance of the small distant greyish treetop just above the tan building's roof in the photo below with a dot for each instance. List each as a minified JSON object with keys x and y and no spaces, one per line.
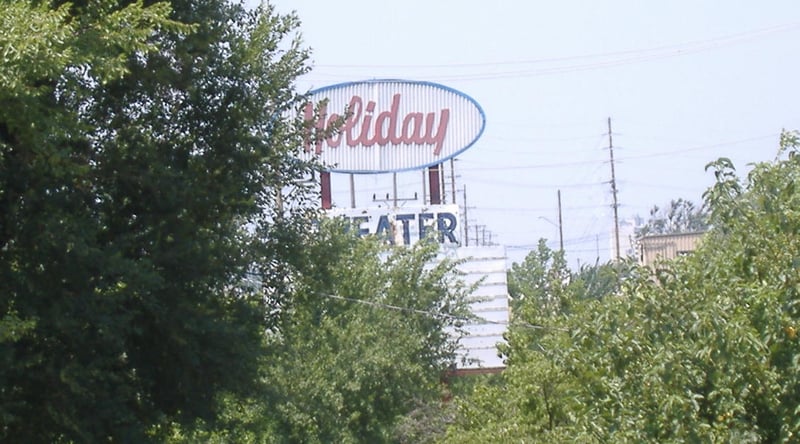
{"x":682,"y":216}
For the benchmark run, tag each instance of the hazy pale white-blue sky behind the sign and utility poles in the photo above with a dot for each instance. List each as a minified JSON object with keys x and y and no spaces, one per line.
{"x":683,"y":81}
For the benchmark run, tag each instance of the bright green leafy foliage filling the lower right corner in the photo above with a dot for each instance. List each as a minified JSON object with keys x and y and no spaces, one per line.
{"x":703,"y":350}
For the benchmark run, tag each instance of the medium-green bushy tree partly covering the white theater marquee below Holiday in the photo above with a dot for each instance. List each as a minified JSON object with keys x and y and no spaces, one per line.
{"x":360,"y":347}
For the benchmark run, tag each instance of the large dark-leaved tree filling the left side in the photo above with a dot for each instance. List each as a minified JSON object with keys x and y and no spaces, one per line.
{"x":142,"y":159}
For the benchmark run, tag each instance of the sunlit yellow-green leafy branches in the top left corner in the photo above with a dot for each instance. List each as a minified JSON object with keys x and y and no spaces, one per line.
{"x":39,"y":44}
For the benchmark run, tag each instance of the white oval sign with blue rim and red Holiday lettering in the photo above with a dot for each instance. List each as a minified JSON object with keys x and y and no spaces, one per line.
{"x":392,"y":125}
